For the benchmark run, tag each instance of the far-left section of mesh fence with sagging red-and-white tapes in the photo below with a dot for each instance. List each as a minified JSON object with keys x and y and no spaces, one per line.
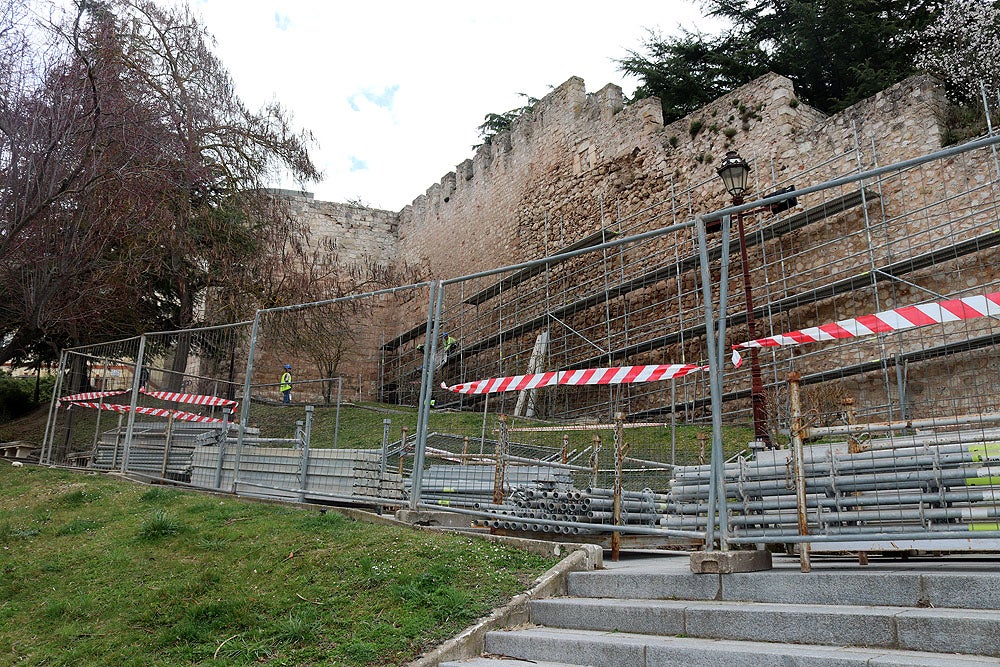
{"x":161,"y":390}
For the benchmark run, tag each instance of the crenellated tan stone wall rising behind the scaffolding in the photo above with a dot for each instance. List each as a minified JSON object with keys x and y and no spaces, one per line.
{"x":581,"y":163}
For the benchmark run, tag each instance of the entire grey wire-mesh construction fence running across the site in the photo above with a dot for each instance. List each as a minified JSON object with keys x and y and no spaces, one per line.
{"x":594,"y":390}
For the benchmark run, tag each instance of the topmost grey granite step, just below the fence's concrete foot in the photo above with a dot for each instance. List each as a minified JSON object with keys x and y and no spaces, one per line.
{"x":970,"y":587}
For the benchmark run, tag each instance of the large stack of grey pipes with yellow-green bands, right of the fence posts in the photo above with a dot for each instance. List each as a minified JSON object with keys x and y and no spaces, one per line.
{"x":942,"y":482}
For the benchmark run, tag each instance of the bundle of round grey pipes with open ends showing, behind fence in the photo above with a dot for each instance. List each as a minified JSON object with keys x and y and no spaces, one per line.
{"x":589,"y":506}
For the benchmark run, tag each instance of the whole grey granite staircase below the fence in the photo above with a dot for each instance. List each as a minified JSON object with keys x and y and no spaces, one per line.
{"x":652,"y":612}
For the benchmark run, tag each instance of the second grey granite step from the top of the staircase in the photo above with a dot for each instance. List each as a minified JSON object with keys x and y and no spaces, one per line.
{"x":973,"y":631}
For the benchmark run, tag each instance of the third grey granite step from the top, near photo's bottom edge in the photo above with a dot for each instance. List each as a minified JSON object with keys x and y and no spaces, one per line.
{"x":601,"y":649}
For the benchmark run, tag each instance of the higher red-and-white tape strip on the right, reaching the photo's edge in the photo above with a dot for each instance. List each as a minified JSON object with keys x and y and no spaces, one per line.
{"x":899,"y":319}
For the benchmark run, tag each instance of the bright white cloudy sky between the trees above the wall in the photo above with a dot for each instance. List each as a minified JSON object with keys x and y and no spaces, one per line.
{"x":394,"y":91}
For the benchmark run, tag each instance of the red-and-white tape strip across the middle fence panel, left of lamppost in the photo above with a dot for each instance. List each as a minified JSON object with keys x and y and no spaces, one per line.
{"x":588,"y":376}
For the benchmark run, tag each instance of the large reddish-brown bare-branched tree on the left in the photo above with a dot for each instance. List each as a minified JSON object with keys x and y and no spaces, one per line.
{"x":132,"y":177}
